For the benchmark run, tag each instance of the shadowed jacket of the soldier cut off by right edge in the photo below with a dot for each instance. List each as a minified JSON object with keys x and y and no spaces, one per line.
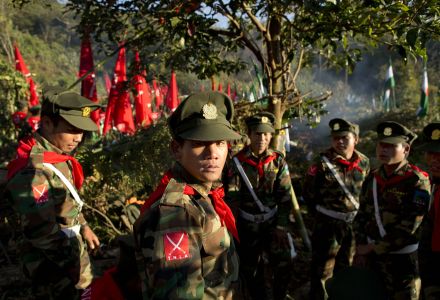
{"x":429,"y":260}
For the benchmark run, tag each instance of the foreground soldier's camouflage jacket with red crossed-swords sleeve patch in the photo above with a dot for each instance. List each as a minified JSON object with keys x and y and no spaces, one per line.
{"x":182,"y":248}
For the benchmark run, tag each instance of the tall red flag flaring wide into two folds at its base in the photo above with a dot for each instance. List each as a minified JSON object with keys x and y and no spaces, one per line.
{"x":119,"y":107}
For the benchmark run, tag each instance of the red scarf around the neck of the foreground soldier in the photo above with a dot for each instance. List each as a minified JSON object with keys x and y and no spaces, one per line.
{"x":216,"y":195}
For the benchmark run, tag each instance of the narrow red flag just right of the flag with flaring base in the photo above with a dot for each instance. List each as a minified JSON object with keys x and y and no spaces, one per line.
{"x":142,"y":95}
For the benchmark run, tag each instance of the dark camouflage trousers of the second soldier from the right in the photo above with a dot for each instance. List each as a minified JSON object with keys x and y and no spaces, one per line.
{"x":400,"y":274}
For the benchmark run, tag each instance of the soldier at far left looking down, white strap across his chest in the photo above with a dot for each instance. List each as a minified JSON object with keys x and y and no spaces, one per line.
{"x":42,"y":188}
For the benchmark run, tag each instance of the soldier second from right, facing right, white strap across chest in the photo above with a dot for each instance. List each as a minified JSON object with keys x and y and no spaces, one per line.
{"x":395,"y":198}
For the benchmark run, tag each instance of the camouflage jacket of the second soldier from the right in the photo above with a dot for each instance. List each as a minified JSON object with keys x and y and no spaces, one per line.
{"x":403,"y":200}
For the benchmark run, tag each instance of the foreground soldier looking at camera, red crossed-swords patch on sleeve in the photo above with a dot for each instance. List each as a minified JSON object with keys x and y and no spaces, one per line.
{"x":183,"y":237}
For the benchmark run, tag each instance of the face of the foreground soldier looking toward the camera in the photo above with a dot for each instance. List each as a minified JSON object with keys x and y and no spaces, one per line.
{"x":203,"y":160}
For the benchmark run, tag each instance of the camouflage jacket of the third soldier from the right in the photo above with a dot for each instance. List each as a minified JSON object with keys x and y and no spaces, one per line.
{"x":321,"y":187}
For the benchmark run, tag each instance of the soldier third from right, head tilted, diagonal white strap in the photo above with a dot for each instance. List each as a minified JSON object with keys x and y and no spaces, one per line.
{"x":331,"y":190}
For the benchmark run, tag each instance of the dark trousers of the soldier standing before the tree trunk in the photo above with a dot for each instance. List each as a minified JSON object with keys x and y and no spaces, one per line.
{"x":264,"y":268}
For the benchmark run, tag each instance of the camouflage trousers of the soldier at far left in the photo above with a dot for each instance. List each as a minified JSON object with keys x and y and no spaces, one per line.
{"x":50,"y":281}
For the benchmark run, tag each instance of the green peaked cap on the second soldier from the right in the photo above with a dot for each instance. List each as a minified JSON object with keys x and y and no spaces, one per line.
{"x":394,"y":133}
